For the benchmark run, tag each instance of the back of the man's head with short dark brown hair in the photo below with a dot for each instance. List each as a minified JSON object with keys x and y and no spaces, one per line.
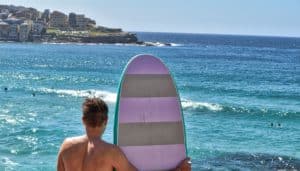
{"x":94,"y":113}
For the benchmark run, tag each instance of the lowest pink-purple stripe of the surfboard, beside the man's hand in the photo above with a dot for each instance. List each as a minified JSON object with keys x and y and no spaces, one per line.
{"x":156,"y":157}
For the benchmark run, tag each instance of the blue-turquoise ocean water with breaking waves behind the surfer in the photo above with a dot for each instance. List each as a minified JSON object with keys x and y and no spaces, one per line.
{"x":240,"y":97}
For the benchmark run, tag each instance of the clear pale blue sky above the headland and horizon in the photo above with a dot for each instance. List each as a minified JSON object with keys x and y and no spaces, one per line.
{"x":247,"y":17}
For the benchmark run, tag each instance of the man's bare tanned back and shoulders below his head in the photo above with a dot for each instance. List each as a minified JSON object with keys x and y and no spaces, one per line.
{"x":80,"y":153}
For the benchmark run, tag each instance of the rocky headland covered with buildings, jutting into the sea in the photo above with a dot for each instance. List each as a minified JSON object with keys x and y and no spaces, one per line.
{"x":26,"y":24}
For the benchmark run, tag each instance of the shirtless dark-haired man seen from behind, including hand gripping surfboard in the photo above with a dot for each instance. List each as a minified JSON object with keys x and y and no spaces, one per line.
{"x":90,"y":152}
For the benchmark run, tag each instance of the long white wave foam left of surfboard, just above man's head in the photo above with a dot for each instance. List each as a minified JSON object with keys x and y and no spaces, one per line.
{"x":105,"y":95}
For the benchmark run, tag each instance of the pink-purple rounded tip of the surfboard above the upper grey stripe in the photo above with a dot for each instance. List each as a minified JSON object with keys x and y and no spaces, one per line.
{"x":146,"y":64}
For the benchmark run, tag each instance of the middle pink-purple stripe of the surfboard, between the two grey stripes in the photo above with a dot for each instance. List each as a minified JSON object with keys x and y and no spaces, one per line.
{"x":149,"y":109}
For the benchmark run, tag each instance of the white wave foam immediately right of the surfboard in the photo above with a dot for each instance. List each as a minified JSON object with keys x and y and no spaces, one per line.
{"x":189,"y":104}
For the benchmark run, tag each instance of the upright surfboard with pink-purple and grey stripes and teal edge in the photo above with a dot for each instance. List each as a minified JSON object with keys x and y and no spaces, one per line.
{"x":149,"y":124}
